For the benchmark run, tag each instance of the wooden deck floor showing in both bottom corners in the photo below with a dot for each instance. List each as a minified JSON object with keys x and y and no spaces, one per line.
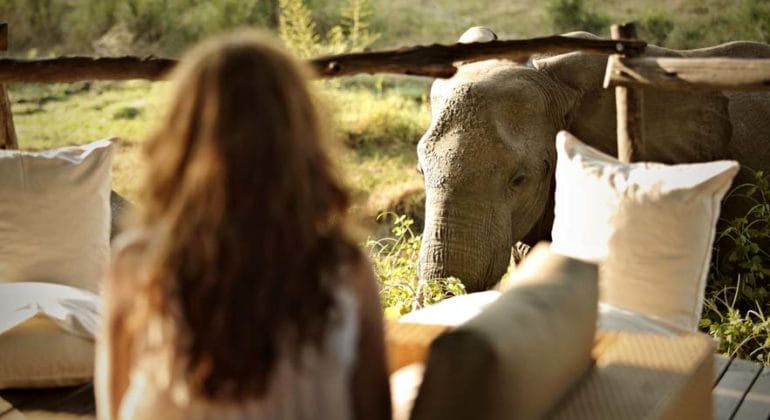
{"x":741,"y":391}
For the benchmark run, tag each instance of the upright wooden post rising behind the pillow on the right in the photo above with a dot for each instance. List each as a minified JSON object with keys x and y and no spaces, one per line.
{"x":629,"y":102}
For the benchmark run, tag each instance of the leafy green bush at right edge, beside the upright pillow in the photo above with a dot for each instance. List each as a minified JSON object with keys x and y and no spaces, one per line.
{"x":737,"y":295}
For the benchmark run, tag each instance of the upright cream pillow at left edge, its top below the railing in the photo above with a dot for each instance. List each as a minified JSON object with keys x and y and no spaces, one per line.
{"x":55,"y":215}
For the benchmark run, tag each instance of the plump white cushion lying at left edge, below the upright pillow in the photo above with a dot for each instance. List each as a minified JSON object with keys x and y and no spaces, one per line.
{"x":46,"y":335}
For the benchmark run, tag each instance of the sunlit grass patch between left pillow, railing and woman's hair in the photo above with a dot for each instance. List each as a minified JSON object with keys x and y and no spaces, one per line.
{"x":48,"y":116}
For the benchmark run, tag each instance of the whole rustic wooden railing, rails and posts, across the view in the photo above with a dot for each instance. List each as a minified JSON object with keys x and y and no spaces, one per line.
{"x":627,"y":71}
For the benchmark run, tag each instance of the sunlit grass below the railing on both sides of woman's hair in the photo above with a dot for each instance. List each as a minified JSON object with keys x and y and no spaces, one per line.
{"x":378,"y":129}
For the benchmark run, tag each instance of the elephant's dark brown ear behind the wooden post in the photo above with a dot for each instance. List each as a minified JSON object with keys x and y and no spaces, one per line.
{"x":678,"y":126}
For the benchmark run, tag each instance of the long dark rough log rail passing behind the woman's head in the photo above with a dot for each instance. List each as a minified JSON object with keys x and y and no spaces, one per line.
{"x":433,"y":60}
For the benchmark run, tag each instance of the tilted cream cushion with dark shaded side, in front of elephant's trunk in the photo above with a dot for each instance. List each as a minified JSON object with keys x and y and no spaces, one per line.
{"x":522,"y":353}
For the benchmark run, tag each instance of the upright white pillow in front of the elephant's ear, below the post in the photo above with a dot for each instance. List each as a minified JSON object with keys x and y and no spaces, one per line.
{"x":651,"y":226}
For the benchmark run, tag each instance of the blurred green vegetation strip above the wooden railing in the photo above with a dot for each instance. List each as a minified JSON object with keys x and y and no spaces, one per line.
{"x":167,"y":27}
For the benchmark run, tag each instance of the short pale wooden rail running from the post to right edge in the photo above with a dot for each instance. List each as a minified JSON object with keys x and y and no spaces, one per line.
{"x":689,"y":73}
